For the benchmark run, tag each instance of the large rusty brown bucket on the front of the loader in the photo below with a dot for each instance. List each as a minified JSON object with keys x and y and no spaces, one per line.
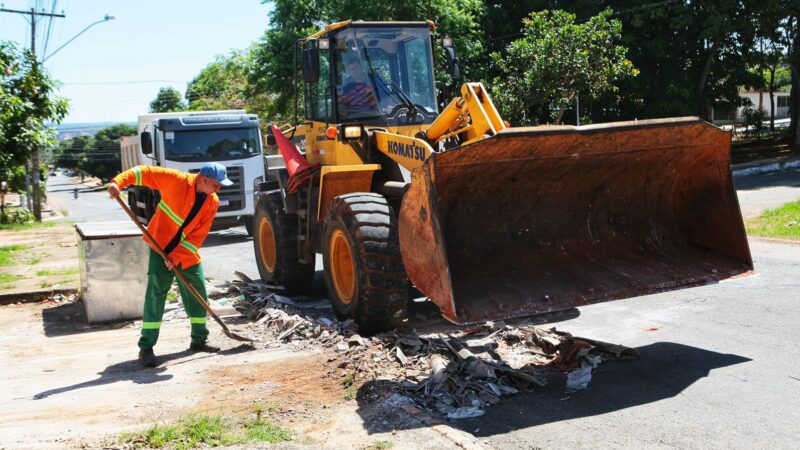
{"x":534,"y":220}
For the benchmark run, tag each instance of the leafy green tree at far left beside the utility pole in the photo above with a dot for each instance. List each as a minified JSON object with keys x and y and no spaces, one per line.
{"x":27,"y":103}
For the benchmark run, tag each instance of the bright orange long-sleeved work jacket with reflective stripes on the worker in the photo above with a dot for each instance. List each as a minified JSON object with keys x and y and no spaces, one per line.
{"x":177,"y":197}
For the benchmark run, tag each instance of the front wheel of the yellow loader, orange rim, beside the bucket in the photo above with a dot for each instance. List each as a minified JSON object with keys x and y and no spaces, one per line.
{"x":364,"y":272}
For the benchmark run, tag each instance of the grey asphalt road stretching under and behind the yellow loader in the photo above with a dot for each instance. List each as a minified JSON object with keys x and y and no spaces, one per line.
{"x":719,"y":368}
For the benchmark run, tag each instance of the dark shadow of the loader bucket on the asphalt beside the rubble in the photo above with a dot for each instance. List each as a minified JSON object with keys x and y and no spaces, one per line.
{"x":664,"y":371}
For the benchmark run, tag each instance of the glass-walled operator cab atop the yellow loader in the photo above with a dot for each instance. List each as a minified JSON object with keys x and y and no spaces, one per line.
{"x":378,"y":74}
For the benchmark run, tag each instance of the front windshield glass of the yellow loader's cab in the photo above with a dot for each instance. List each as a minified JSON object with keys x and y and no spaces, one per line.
{"x":384,"y":72}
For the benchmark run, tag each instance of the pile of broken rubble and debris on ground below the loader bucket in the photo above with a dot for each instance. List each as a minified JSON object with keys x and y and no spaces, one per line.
{"x":454,"y":374}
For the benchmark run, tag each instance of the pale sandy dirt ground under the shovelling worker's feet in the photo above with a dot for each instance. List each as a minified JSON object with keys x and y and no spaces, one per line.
{"x":68,"y":384}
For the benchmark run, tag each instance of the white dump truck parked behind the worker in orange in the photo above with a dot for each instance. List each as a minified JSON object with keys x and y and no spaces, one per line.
{"x":187,"y":140}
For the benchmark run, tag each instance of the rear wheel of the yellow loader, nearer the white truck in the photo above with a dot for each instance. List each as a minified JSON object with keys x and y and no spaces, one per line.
{"x":275,"y":243}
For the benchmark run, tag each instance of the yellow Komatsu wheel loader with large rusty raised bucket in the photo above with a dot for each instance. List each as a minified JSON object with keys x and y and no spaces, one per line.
{"x":488,"y":221}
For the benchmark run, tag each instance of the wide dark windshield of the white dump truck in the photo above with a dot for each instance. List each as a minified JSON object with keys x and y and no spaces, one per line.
{"x":211,"y":145}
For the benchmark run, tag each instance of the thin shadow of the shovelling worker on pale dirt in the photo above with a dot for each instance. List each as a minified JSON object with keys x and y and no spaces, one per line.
{"x":132,"y":371}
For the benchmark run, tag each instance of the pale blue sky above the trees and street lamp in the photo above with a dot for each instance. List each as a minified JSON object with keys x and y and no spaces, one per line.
{"x":111,"y":72}
